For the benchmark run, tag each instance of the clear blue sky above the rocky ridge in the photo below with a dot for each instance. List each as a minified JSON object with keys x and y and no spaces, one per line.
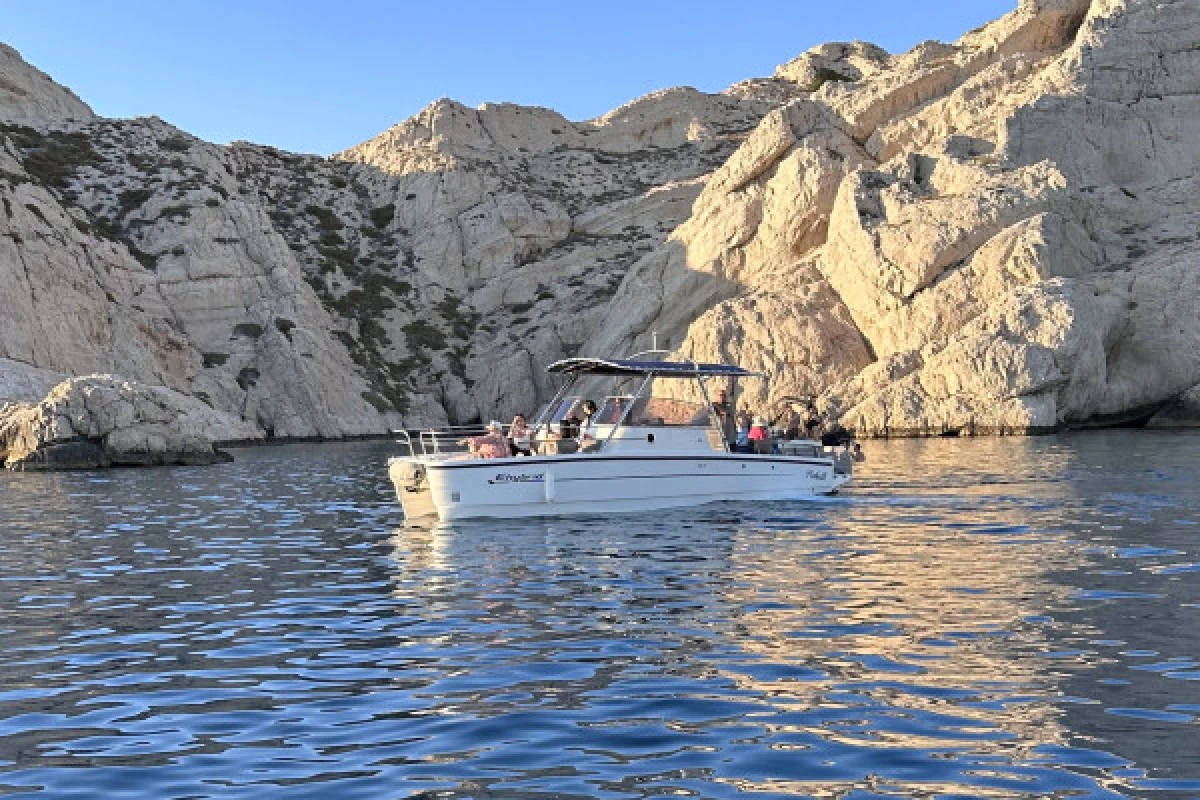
{"x":320,"y":77}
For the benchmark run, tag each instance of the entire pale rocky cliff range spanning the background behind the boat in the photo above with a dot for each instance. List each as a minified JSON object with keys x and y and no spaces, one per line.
{"x":993,"y":236}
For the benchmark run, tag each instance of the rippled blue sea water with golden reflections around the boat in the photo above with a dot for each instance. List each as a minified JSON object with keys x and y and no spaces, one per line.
{"x":976,"y":618}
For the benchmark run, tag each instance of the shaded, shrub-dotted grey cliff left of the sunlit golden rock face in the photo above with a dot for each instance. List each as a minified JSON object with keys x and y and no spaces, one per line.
{"x":424,"y":276}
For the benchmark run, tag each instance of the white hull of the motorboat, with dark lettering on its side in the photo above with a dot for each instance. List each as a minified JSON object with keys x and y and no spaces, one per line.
{"x":605,"y":484}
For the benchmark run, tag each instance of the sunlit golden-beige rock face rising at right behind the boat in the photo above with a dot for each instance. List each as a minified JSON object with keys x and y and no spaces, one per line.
{"x":1007,"y":224}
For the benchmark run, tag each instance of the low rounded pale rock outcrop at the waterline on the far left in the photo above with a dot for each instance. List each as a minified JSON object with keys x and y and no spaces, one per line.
{"x":101,"y":420}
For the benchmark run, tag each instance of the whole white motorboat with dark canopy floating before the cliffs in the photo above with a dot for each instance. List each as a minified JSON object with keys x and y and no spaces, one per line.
{"x":637,"y":454}
